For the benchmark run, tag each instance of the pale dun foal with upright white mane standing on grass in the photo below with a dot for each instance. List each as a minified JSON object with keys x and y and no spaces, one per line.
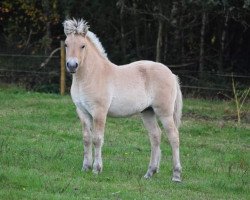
{"x":101,"y":88}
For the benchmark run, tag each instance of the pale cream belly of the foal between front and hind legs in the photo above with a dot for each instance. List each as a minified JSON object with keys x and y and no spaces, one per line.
{"x":125,"y":106}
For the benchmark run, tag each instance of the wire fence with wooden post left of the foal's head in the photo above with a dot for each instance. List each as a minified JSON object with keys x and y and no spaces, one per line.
{"x":35,"y":72}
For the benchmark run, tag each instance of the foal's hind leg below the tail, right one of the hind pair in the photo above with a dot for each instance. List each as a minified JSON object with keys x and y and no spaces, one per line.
{"x":173,"y":137}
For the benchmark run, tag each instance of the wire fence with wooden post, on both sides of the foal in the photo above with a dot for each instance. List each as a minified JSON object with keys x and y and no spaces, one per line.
{"x":47,"y":74}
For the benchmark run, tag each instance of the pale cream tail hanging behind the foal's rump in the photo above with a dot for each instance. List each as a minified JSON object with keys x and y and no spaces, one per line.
{"x":178,"y":104}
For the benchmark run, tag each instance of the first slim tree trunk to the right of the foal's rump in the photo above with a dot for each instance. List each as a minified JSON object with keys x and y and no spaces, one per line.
{"x":202,"y":44}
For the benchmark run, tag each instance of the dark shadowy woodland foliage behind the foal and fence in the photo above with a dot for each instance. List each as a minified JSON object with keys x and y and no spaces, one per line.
{"x":193,"y":37}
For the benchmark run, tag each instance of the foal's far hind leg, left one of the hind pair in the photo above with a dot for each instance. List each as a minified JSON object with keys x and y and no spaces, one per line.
{"x":150,"y":122}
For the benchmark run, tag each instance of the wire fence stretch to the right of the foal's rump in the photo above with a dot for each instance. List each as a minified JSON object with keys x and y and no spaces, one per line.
{"x":212,"y":84}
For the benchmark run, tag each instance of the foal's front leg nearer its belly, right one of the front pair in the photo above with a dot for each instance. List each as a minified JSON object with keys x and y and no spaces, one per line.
{"x":98,"y":139}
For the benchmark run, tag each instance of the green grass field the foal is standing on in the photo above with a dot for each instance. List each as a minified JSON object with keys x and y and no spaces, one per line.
{"x":41,"y":153}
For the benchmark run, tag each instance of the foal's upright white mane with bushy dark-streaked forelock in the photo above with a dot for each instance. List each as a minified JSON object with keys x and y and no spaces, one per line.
{"x":81,"y":27}
